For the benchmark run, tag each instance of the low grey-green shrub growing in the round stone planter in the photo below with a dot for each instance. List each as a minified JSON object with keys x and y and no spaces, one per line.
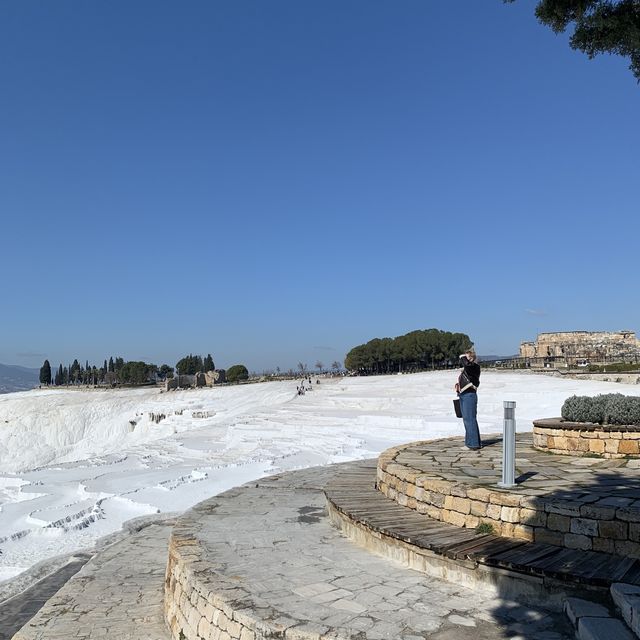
{"x":609,"y":408}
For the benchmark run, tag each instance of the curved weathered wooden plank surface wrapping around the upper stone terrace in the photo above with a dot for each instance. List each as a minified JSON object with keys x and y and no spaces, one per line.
{"x":352,"y":492}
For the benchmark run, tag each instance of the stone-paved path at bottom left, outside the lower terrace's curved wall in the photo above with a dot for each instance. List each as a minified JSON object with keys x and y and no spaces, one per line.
{"x":117,"y":594}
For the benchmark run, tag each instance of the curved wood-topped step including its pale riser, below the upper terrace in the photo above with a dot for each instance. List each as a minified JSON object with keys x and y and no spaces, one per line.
{"x":367,"y":515}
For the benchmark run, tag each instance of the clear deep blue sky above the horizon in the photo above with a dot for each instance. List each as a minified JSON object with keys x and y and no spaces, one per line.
{"x":275,"y":182}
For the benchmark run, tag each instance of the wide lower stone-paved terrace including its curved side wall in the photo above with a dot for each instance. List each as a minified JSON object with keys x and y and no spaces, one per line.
{"x":267,"y":552}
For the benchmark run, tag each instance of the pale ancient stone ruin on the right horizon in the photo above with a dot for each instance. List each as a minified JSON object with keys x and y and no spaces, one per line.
{"x":588,"y":345}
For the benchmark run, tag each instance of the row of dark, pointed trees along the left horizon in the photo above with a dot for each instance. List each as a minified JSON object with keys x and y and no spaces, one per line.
{"x":117,"y":371}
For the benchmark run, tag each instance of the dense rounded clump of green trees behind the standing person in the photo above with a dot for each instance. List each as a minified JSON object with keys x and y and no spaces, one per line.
{"x":414,"y":351}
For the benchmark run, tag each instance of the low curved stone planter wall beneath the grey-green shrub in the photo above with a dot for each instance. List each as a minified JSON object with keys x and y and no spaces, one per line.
{"x":555,"y":435}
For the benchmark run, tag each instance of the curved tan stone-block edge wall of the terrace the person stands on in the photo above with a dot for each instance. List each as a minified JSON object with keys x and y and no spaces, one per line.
{"x":551,"y":520}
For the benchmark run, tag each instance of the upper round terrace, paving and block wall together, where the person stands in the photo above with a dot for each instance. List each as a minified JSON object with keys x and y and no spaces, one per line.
{"x":586,"y":503}
